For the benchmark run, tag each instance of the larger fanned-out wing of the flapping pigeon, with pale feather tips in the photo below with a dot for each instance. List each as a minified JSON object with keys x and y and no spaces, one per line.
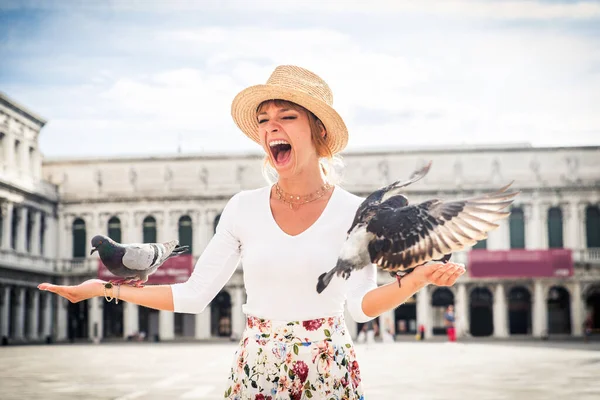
{"x":412,"y":235}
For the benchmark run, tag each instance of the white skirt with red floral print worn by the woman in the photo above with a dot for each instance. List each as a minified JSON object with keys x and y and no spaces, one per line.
{"x":312,"y":359}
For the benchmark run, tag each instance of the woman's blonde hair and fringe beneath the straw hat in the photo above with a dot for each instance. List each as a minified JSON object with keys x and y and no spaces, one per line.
{"x":331,"y":164}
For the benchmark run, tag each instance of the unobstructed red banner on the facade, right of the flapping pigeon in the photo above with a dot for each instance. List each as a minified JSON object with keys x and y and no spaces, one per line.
{"x":520,"y":263}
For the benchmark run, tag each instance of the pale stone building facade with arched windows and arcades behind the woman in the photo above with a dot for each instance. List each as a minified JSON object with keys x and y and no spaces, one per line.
{"x":144,"y":199}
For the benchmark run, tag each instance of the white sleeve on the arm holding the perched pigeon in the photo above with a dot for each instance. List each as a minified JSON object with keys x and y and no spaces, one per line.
{"x":214,"y":267}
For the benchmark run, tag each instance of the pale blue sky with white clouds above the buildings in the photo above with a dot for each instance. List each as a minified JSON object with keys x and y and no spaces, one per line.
{"x":148,"y":77}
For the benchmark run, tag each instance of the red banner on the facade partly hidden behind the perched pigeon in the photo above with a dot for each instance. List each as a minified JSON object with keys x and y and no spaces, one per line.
{"x":174,"y":270}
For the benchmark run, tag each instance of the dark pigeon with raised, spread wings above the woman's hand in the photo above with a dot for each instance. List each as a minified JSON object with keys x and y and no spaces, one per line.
{"x":399,"y":237}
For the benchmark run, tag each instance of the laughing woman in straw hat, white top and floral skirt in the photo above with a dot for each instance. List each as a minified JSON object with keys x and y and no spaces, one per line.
{"x":296,"y":344}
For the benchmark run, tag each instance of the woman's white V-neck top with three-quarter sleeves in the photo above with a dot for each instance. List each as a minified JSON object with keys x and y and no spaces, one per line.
{"x":280,"y":271}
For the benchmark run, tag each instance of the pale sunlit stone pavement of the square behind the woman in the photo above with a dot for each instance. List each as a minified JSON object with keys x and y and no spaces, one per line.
{"x":402,"y":370}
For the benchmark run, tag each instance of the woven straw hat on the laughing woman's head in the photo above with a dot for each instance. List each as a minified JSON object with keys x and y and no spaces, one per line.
{"x":299,"y":86}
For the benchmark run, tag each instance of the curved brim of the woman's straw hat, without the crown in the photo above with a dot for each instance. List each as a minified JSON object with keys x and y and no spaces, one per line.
{"x":244,"y":105}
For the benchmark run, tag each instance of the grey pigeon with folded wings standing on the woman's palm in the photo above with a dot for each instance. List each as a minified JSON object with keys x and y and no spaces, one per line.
{"x":134,"y":262}
